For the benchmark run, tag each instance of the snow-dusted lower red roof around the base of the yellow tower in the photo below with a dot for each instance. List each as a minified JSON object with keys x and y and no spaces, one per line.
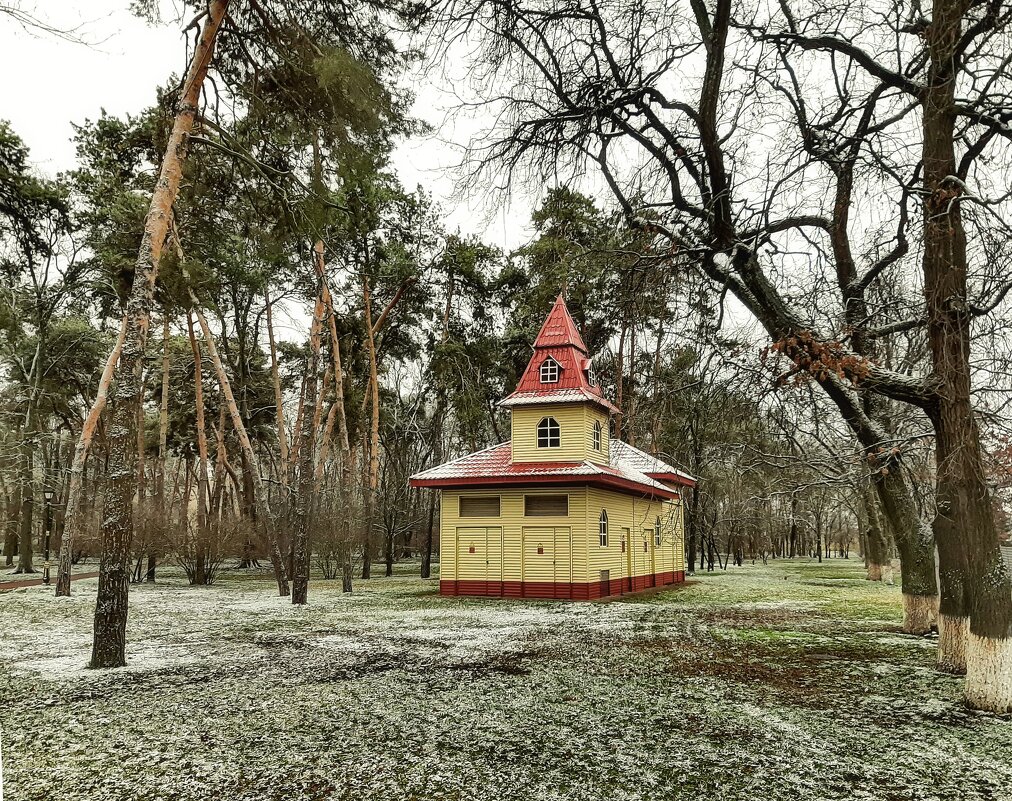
{"x":495,"y":466}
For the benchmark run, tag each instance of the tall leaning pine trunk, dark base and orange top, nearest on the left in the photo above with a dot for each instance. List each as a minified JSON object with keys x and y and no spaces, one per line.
{"x":110,"y":646}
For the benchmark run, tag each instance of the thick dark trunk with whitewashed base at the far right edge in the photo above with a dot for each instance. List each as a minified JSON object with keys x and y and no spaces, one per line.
{"x":964,"y":499}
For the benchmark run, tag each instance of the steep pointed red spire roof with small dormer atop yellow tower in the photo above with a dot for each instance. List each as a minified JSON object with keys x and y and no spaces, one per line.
{"x":559,"y":340}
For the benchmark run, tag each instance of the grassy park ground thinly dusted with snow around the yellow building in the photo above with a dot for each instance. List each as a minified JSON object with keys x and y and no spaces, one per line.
{"x":783,"y":682}
